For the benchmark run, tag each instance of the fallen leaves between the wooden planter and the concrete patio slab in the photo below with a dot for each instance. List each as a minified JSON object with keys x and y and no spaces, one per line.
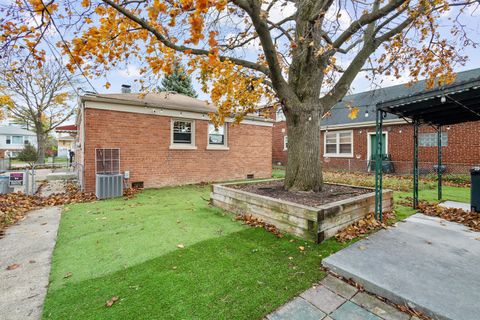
{"x":363,"y":226}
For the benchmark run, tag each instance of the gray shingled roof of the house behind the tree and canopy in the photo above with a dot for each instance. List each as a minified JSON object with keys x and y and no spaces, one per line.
{"x":369,"y":99}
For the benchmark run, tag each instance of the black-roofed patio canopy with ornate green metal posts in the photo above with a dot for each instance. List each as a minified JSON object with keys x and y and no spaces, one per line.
{"x":439,"y":107}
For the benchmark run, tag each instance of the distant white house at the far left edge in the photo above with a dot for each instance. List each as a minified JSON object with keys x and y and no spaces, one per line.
{"x":13,"y":139}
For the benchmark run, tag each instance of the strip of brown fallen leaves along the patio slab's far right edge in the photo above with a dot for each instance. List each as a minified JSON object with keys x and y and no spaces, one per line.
{"x":469,"y":219}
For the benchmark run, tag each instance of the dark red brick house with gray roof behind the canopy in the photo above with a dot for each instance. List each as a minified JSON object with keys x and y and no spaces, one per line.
{"x":347,"y":143}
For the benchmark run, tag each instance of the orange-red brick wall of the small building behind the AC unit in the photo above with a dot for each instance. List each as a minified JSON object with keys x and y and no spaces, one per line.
{"x":144,"y":142}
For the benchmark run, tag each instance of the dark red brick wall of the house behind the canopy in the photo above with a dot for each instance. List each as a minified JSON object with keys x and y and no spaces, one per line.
{"x":463,"y":144}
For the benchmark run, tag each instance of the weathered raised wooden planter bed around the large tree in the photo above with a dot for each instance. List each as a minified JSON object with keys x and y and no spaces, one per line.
{"x":307,"y":222}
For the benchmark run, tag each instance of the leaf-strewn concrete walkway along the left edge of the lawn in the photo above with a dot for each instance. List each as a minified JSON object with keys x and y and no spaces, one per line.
{"x":28,"y":247}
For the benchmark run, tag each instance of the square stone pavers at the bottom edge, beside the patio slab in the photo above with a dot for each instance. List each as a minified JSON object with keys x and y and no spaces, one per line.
{"x":337,"y":300}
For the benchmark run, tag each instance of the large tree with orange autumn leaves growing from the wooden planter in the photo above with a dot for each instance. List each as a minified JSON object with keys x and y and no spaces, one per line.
{"x":302,"y":55}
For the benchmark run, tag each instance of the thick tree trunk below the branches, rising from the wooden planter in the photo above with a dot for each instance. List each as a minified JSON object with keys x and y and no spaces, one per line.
{"x":304,"y":166}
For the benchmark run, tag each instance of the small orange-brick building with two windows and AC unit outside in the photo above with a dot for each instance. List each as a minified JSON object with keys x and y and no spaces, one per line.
{"x":161,"y":139}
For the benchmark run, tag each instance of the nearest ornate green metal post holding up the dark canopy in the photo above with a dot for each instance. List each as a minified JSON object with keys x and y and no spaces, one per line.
{"x":378,"y":165}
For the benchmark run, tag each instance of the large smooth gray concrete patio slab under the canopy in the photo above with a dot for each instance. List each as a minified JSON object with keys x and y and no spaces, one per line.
{"x":425,"y":262}
